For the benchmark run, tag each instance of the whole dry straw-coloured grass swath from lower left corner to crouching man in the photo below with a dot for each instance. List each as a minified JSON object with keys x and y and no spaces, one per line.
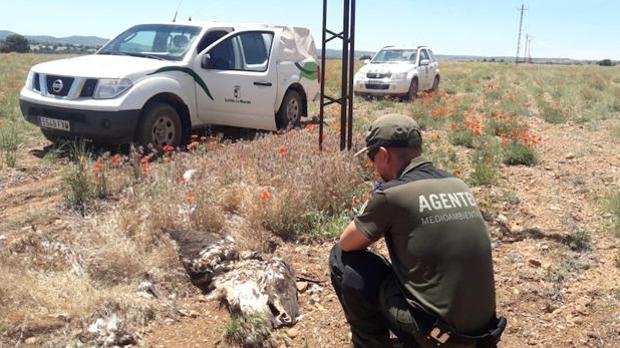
{"x":95,"y":263}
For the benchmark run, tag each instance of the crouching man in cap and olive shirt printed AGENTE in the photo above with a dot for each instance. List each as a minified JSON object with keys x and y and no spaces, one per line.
{"x":438,"y":289}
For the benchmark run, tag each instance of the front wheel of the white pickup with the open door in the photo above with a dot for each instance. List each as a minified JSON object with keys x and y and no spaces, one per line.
{"x":159,"y":126}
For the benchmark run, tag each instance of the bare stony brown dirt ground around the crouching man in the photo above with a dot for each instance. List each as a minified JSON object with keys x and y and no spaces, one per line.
{"x":551,"y":296}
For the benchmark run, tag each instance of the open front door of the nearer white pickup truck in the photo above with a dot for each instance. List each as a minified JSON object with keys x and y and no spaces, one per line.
{"x":239,"y":80}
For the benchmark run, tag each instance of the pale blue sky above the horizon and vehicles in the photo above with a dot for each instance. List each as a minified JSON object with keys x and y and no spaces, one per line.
{"x":574,"y":29}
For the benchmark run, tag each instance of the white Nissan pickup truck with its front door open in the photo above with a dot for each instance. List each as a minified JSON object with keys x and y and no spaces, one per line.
{"x":155,"y":82}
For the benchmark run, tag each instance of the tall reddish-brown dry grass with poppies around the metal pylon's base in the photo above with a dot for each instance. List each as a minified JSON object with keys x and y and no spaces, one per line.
{"x":270,"y":182}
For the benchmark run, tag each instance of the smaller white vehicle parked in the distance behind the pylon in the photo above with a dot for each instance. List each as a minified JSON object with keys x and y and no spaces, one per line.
{"x":399,"y":71}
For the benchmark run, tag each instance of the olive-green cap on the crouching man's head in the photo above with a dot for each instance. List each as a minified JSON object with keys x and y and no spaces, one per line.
{"x":392,"y":130}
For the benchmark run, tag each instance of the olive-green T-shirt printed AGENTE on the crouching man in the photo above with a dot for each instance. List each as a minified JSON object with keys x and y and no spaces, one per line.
{"x":438,"y":244}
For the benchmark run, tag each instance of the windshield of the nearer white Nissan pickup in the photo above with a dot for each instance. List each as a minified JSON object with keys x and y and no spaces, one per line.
{"x":157,"y":41}
